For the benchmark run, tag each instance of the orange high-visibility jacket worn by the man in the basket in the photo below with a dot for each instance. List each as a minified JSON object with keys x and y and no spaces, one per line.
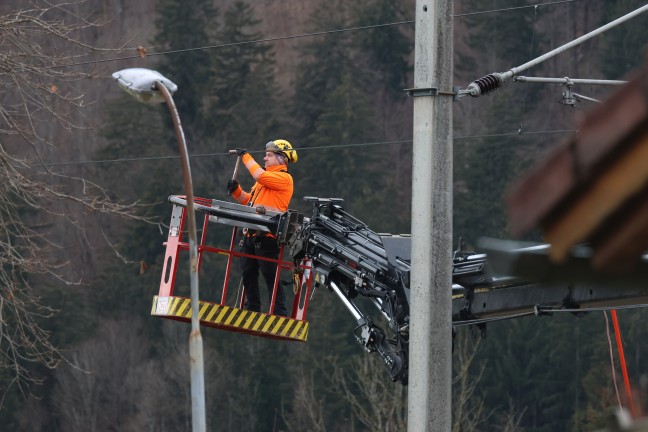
{"x":273,"y":188}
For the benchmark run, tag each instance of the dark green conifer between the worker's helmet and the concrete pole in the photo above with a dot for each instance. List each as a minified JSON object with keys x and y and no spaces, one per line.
{"x":335,"y":108}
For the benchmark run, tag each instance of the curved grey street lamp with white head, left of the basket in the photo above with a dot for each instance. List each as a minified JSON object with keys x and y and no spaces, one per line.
{"x":152,"y":87}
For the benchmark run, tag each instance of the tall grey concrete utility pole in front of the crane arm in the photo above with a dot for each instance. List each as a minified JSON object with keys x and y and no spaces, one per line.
{"x":430,"y":362}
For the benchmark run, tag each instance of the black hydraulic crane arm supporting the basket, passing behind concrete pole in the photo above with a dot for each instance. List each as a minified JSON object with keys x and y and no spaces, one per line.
{"x":363,"y":267}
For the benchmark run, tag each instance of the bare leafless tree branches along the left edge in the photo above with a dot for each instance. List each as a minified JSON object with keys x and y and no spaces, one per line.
{"x":38,"y":96}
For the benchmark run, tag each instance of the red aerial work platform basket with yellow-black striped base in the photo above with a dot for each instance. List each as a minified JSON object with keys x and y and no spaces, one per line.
{"x":226,"y":312}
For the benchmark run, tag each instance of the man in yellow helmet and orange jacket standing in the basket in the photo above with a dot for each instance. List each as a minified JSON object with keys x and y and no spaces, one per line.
{"x":273,"y":190}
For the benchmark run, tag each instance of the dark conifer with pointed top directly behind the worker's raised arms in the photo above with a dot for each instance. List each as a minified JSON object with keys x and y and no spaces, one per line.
{"x":243,"y":108}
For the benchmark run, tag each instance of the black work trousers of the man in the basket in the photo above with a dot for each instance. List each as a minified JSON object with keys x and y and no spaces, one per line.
{"x":266,"y":247}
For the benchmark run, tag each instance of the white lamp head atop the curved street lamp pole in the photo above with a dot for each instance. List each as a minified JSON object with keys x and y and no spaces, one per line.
{"x":141,"y":83}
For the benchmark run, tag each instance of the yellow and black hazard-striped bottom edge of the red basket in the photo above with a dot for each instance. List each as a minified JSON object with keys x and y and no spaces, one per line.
{"x":231,"y":318}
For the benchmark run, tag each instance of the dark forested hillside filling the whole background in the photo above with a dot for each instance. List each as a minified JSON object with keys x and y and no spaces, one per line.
{"x":338,"y":97}
